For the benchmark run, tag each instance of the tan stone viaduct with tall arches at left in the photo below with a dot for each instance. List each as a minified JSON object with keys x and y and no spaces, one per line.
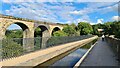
{"x":28,"y":27}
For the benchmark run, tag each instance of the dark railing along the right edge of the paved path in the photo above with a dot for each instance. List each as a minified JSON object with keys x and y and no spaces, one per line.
{"x":115,"y":45}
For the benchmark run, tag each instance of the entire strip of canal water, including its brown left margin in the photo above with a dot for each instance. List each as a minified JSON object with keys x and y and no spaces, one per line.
{"x":69,"y":58}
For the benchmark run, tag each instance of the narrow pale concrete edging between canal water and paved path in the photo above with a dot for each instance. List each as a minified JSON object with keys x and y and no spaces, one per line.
{"x":84,"y":56}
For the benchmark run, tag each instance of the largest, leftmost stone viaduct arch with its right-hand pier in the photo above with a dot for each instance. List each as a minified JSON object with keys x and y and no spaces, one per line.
{"x":28,"y":42}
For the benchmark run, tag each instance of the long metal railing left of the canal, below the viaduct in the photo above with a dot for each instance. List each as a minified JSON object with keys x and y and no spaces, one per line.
{"x":18,"y":46}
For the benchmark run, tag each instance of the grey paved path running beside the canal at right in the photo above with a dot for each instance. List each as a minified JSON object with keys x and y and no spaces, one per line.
{"x":101,"y":55}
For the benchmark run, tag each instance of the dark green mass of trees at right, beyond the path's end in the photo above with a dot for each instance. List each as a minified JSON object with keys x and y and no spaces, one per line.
{"x":110,"y":28}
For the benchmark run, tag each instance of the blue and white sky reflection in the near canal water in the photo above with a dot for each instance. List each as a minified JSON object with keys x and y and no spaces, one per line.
{"x":70,"y":59}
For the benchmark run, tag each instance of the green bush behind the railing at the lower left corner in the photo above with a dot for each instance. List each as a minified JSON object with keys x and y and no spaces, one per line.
{"x":11,"y":48}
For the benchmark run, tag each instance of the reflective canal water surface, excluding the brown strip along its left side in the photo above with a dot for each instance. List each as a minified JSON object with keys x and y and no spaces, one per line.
{"x":71,"y":59}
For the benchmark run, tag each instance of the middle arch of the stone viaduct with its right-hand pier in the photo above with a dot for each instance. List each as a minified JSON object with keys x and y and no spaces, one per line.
{"x":41,"y":40}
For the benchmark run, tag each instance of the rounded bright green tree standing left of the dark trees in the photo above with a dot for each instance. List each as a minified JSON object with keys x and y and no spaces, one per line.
{"x":85,"y":28}
